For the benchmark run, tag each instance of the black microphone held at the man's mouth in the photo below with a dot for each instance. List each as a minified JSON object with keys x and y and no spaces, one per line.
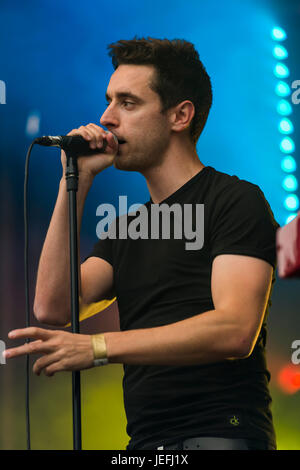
{"x":70,"y":143}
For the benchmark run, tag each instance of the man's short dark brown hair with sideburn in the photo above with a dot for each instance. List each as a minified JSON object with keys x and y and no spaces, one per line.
{"x":180,"y":74}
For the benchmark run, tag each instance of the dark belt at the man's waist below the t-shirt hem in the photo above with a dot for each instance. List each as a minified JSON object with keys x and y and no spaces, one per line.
{"x":217,"y":443}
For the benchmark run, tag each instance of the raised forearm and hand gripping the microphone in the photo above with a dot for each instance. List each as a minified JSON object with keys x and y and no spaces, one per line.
{"x":52,"y":296}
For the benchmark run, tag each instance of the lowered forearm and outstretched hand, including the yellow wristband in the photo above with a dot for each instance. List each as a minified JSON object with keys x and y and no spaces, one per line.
{"x":201,"y":339}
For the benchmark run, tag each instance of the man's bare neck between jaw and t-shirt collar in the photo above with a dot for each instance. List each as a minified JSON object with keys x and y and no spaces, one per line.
{"x":179,"y":165}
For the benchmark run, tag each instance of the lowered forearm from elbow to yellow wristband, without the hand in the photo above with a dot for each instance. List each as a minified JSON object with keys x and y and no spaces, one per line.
{"x":201,"y":339}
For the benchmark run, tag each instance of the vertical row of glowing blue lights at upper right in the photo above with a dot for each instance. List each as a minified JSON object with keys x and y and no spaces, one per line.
{"x":285,"y":126}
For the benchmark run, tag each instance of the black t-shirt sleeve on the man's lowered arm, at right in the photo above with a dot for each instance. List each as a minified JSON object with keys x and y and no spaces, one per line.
{"x":243,"y":223}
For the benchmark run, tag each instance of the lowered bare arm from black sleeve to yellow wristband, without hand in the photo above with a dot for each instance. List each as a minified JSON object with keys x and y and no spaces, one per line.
{"x":240,"y":290}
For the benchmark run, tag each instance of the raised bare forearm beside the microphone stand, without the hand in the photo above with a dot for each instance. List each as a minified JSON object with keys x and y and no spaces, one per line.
{"x":52,"y":296}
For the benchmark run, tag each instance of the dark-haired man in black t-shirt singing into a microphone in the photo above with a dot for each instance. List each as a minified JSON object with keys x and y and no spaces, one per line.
{"x":192,"y":321}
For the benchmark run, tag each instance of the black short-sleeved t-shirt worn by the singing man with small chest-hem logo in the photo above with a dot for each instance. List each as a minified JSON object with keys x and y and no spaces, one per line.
{"x":160,"y":281}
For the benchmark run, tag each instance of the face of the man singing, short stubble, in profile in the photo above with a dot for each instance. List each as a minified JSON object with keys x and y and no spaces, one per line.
{"x":134,"y":116}
